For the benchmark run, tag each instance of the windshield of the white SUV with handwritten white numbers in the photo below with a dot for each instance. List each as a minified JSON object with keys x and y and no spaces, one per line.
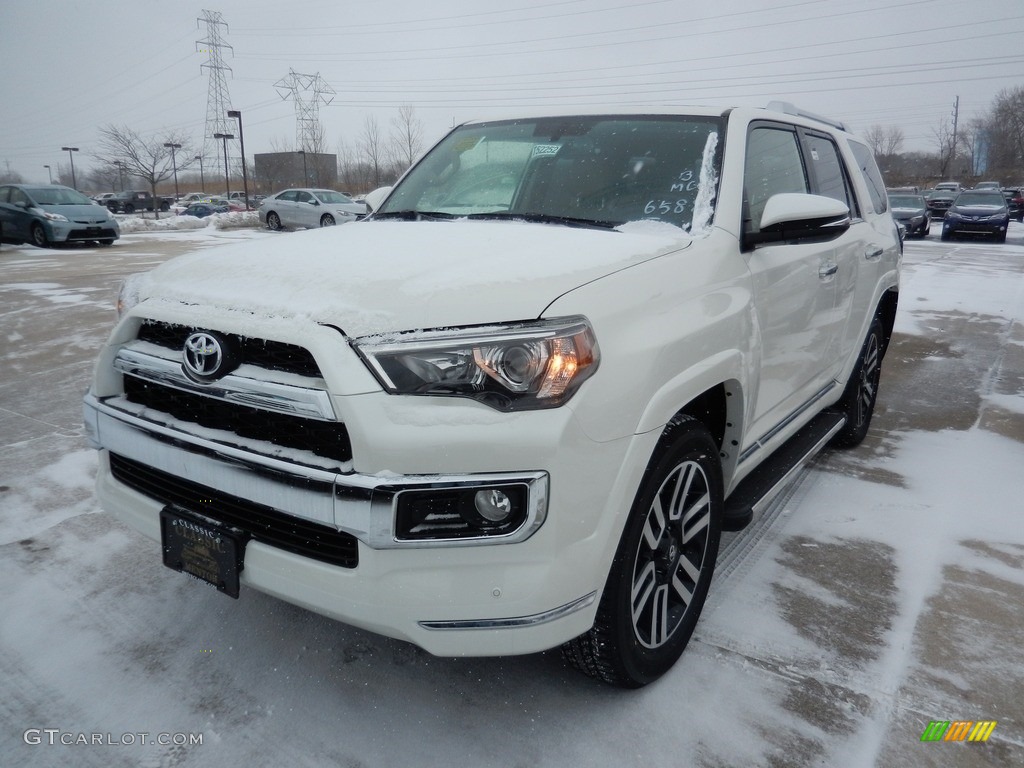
{"x":605,"y":170}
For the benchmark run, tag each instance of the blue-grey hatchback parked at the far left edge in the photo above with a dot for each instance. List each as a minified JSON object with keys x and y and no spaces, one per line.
{"x":47,"y":215}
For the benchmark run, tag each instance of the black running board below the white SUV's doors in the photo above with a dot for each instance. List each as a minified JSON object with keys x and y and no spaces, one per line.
{"x":761,"y":487}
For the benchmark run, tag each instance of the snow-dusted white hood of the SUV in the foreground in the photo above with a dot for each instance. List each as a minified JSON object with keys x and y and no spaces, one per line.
{"x":381,"y":277}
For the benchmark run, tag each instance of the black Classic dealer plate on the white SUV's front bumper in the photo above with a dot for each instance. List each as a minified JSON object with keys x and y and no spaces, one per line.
{"x":202,"y":548}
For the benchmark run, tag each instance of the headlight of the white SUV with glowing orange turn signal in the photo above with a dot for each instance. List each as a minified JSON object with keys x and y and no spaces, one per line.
{"x":518,"y":367}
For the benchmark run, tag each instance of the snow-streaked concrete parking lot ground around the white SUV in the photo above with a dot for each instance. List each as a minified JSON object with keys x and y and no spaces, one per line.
{"x":882,"y":593}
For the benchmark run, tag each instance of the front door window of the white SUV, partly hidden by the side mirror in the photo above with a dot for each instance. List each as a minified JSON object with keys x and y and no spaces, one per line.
{"x":774,"y":166}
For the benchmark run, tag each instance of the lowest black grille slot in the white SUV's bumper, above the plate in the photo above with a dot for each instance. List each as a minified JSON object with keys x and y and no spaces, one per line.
{"x":265,"y":525}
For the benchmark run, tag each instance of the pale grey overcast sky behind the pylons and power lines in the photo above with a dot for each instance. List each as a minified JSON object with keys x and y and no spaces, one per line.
{"x":72,"y":67}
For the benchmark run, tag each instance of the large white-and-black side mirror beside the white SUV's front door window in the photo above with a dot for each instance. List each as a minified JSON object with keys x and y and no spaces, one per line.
{"x":795,"y":218}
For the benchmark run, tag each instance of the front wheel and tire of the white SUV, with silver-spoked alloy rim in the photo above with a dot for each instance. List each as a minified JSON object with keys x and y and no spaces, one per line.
{"x":663,"y":569}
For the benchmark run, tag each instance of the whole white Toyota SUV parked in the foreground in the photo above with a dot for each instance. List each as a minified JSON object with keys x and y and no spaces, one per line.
{"x":517,"y":407}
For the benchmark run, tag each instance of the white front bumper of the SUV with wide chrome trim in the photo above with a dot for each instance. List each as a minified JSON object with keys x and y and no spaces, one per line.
{"x":467,"y":599}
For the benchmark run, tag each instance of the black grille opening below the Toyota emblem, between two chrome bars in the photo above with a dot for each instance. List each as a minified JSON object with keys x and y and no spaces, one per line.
{"x":327,"y":439}
